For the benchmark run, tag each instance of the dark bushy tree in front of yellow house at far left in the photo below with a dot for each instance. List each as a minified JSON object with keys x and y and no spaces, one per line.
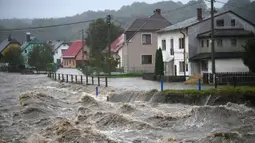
{"x":12,"y":55}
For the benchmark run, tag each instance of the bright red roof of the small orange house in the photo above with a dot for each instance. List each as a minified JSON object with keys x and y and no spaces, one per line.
{"x":73,"y":49}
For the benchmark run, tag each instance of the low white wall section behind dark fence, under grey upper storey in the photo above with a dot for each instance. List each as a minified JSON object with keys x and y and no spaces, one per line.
{"x":228,"y":65}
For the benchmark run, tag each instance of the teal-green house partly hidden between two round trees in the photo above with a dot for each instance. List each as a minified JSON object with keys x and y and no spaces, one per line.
{"x":28,"y":46}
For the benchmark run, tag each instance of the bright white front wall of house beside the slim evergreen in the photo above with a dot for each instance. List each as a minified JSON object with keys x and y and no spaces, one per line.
{"x":178,"y":53}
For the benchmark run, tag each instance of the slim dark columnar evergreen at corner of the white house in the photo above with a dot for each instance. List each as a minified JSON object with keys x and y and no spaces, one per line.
{"x":159,"y":64}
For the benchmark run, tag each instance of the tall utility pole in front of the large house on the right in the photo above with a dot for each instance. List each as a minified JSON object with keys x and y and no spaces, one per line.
{"x":212,"y":39}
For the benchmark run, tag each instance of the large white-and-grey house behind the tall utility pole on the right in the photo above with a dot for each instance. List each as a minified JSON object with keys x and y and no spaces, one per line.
{"x":231,"y":32}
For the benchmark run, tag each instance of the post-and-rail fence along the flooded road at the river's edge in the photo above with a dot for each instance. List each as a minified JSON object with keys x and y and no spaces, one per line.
{"x":79,"y":79}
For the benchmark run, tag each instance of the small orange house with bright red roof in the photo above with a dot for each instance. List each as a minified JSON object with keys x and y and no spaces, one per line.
{"x":73,"y":56}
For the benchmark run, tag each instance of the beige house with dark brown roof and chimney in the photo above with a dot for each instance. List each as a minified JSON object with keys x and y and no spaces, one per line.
{"x":138,"y":52}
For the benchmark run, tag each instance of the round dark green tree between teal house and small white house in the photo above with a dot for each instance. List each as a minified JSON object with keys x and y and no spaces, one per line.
{"x":40,"y":57}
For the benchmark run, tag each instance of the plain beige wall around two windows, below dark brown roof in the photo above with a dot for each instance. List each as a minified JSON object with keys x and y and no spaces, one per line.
{"x":133,"y":51}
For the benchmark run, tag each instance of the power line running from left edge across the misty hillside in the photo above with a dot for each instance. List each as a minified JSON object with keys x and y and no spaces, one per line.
{"x":48,"y":26}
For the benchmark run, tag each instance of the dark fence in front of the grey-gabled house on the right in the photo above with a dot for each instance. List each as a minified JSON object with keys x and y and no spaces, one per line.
{"x":227,"y":78}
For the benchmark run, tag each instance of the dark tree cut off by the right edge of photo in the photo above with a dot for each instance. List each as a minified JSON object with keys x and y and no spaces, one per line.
{"x":248,"y":54}
